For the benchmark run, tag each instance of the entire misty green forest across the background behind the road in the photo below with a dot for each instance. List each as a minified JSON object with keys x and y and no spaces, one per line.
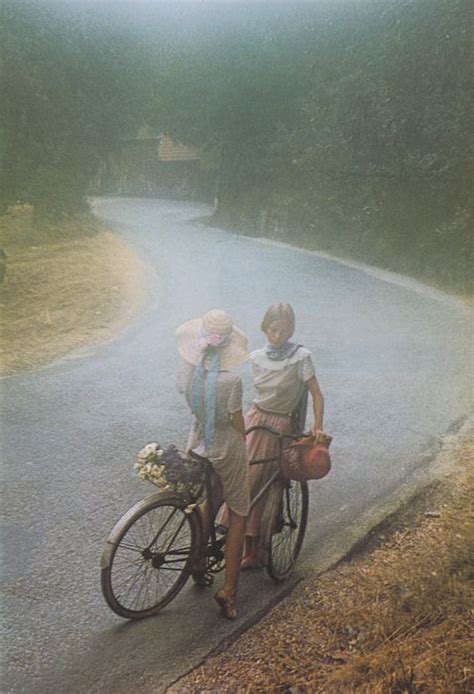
{"x":341,"y":126}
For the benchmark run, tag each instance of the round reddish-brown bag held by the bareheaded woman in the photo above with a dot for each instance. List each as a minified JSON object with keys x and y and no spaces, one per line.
{"x":306,"y":459}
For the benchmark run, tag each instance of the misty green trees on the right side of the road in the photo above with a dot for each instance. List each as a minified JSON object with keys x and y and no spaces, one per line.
{"x":346,"y":129}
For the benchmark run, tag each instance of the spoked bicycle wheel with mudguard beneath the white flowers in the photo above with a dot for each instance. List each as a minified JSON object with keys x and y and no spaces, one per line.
{"x":149,"y":555}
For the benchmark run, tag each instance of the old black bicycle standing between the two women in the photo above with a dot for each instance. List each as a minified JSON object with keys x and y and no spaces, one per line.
{"x":150,"y":552}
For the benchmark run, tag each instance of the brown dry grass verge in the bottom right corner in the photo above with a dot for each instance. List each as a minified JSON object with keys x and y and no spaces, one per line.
{"x":395,"y":617}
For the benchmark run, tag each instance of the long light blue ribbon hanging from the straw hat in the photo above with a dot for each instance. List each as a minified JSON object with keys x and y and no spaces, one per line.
{"x":205,"y":379}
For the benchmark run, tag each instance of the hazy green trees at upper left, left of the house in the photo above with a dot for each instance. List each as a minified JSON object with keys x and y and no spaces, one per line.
{"x":70,"y":89}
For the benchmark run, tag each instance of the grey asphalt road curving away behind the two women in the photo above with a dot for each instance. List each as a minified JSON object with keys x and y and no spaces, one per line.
{"x":393,"y":363}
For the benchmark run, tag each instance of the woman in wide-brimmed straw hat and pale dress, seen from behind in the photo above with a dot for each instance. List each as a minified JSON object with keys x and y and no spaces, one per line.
{"x":210,"y":347}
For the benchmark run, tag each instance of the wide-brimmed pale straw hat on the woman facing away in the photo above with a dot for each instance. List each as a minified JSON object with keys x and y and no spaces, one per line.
{"x":189,"y":339}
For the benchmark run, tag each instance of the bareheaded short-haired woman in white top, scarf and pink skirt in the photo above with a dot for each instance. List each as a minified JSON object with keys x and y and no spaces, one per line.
{"x":282,"y":372}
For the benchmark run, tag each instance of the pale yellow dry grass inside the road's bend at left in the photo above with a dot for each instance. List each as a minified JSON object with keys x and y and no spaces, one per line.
{"x":60,"y":294}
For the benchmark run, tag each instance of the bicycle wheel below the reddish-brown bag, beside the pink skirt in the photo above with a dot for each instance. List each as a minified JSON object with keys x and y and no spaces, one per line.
{"x":289,"y":530}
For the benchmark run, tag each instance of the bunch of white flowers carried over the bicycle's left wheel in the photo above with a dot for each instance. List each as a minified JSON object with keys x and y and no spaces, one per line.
{"x":169,"y":470}
